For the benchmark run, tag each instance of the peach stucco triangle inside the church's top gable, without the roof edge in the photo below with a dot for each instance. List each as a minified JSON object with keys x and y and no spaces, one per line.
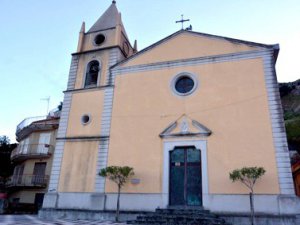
{"x":187,"y":45}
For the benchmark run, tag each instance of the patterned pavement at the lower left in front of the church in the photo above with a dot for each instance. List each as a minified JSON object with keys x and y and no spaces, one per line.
{"x":32,"y":220}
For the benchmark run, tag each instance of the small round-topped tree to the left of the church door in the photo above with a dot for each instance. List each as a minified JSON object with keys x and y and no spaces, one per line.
{"x":118,"y":175}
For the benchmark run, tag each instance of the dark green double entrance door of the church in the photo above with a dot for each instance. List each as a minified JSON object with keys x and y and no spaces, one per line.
{"x":185,"y":182}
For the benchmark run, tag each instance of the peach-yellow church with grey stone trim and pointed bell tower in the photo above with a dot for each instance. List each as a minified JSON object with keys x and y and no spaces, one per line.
{"x":183,"y":112}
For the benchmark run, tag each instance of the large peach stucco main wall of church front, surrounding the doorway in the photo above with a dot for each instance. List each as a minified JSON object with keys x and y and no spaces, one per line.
{"x":231,"y":100}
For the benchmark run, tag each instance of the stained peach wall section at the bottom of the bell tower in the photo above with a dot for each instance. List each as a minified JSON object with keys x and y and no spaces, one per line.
{"x":78,"y":169}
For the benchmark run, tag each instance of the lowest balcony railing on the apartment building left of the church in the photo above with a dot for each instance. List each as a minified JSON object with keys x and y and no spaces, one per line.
{"x":28,"y":180}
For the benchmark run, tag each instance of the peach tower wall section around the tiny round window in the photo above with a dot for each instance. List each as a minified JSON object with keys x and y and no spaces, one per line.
{"x":90,"y":103}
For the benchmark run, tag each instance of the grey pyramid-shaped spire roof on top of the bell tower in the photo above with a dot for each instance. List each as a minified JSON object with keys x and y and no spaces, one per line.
{"x":109,"y":19}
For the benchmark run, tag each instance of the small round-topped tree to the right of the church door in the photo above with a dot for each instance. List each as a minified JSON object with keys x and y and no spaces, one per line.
{"x":248,"y":176}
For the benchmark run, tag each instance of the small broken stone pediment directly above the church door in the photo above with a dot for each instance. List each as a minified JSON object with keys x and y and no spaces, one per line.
{"x":185,"y":126}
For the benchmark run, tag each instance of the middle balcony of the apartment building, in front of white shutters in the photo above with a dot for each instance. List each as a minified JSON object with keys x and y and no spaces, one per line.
{"x":31,"y":151}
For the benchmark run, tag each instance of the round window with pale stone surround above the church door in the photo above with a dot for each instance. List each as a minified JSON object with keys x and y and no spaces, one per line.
{"x":184,"y":84}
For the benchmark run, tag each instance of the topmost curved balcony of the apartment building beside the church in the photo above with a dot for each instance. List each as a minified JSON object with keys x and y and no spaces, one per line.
{"x":38,"y":123}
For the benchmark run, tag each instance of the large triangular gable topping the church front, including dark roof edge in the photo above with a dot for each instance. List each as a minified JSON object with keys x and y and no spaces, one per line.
{"x":190,"y":45}
